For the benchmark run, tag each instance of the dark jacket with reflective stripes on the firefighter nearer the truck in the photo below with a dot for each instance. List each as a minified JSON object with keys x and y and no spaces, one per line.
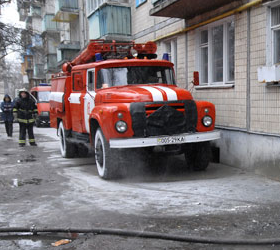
{"x":26,"y":108}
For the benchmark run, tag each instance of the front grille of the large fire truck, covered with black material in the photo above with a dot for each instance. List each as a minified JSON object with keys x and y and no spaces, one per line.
{"x":163,"y":118}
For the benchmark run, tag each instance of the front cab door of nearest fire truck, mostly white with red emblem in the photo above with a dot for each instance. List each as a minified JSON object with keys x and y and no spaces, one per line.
{"x":89,"y":98}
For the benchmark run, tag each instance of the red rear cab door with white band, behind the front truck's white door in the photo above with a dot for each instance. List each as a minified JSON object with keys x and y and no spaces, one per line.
{"x":76,"y":104}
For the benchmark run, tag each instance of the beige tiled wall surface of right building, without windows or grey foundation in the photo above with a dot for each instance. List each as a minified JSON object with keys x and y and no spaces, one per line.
{"x":258,"y":113}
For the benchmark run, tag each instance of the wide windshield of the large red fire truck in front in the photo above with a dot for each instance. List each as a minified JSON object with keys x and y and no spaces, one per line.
{"x":110,"y":77}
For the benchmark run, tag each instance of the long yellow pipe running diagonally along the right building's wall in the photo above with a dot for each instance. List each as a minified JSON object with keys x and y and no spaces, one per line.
{"x":211,"y":20}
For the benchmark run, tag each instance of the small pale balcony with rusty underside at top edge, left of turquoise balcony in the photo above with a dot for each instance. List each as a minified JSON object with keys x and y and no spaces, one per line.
{"x":66,"y":10}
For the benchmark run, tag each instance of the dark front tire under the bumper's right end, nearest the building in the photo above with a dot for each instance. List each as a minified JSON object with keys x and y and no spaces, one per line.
{"x":198,"y":155}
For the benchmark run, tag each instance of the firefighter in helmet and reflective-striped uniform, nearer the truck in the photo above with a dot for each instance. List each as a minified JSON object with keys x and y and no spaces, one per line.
{"x":25,"y":108}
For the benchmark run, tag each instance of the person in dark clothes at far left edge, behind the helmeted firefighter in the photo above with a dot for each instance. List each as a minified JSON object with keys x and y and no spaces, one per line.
{"x":7,"y":115}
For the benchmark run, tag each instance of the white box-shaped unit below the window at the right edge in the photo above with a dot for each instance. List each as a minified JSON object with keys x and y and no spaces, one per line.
{"x":269,"y":74}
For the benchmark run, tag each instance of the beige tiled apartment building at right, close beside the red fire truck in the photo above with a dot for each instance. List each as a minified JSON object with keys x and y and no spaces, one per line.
{"x":234,"y":45}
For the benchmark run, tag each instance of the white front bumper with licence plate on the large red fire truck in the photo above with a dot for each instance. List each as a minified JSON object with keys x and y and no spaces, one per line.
{"x":164,"y":140}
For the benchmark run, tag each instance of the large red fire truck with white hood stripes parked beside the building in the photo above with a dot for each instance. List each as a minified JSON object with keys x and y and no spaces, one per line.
{"x":123,"y":102}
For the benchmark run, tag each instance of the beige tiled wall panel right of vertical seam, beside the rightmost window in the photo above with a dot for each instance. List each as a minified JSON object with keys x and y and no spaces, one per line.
{"x":265,"y":101}
